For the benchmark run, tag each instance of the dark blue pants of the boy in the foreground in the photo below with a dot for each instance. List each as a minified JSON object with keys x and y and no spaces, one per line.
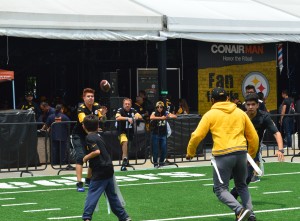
{"x":96,"y":188}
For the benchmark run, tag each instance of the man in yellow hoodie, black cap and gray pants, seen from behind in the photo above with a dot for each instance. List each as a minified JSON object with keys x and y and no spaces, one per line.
{"x":233,"y":135}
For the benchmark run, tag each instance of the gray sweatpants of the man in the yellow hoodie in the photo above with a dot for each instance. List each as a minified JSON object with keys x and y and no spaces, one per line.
{"x":232,"y":165}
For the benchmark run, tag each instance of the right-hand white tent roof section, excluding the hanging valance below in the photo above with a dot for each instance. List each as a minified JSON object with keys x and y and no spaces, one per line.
{"x":229,"y":16}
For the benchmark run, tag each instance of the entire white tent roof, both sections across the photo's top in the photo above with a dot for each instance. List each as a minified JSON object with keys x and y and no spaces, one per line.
{"x":245,"y":21}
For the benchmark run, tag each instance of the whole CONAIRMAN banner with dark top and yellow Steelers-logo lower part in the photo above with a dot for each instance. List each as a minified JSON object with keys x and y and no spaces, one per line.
{"x":233,"y":67}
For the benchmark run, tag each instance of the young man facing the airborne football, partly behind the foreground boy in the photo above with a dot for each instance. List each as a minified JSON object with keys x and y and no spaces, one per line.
{"x":89,"y":106}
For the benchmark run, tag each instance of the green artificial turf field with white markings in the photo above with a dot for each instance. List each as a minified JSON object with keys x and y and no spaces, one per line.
{"x":183,"y":193}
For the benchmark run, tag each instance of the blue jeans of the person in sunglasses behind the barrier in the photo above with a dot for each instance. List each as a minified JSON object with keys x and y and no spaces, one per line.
{"x":159,"y":141}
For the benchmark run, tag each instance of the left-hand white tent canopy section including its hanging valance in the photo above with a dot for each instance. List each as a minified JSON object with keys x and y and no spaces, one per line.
{"x":115,"y":20}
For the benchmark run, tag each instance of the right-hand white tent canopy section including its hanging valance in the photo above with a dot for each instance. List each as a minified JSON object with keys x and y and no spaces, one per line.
{"x":230,"y":21}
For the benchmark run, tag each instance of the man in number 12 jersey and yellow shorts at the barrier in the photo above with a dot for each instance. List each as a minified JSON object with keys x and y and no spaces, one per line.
{"x":125,"y":117}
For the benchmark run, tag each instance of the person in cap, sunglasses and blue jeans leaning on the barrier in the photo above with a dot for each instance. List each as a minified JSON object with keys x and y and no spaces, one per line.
{"x":159,"y":133}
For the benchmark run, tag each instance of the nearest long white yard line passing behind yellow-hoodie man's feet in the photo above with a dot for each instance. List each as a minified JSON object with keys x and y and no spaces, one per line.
{"x":224,"y":214}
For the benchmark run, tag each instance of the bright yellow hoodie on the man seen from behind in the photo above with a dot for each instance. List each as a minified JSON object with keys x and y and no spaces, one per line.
{"x":230,"y":127}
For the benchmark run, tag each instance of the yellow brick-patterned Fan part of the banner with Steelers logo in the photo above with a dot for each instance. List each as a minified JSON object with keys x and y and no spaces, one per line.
{"x":234,"y":79}
